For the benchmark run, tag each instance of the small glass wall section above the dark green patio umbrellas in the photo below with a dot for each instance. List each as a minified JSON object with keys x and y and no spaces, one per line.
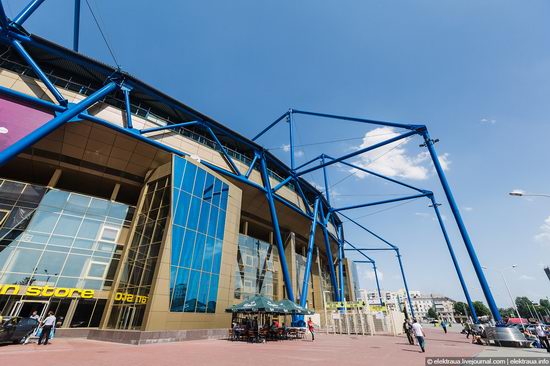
{"x":256,"y":269}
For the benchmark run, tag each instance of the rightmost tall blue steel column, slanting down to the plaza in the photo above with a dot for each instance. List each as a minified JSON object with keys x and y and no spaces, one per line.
{"x":462,"y":228}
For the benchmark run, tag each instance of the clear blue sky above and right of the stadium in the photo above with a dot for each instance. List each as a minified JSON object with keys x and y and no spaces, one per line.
{"x":477,"y":73}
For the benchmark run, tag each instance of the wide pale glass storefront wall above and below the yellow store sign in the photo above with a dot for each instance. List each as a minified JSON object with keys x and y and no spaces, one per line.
{"x":62,"y":240}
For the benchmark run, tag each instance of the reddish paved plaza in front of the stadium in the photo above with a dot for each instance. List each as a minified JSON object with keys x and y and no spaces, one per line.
{"x":326,"y":350}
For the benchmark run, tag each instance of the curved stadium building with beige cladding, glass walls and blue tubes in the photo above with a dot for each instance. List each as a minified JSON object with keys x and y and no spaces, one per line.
{"x":136,"y":212}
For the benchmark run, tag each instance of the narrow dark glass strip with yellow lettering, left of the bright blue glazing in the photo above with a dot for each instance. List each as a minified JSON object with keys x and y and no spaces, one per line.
{"x":139,"y":267}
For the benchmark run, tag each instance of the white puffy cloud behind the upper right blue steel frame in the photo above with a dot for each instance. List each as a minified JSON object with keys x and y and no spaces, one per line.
{"x":392,"y":160}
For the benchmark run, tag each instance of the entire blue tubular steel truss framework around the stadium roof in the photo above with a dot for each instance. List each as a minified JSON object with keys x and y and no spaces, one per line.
{"x":13,"y":34}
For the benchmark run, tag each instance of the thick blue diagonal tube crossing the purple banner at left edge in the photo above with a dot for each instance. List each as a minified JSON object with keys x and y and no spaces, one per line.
{"x":27,"y":141}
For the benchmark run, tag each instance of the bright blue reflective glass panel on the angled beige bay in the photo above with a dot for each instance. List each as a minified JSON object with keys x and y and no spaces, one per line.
{"x":199,"y":210}
